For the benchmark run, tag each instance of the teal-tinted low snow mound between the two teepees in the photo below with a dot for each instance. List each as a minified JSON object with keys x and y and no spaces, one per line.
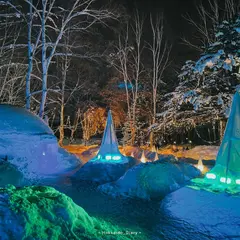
{"x":152,"y":180}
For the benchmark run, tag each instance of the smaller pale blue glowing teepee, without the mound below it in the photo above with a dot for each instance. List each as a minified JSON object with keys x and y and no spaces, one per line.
{"x":109,"y":145}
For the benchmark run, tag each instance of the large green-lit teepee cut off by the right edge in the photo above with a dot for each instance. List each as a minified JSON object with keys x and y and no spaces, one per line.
{"x":227,"y":167}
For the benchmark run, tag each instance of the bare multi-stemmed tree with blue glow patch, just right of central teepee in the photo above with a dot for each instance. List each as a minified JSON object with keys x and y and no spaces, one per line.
{"x":127,"y":61}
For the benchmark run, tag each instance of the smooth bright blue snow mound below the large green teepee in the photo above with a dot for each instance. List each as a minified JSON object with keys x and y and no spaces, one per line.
{"x":201,"y":215}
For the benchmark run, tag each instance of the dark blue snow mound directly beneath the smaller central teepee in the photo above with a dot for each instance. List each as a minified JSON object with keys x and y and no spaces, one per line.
{"x":104,"y":171}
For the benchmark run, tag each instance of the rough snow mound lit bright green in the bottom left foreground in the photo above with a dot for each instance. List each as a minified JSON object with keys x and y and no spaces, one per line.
{"x":44,"y":213}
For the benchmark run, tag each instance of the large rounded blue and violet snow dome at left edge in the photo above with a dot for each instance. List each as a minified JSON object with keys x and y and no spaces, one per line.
{"x":29,"y":145}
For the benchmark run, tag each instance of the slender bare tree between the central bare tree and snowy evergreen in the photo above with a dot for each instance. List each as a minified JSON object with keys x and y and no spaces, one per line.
{"x":160,"y":50}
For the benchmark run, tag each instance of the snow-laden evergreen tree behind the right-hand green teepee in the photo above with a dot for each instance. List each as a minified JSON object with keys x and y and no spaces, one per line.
{"x":205,"y":88}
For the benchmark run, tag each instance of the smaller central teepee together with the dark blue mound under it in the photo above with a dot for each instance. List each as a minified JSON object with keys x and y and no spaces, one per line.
{"x":109,"y":164}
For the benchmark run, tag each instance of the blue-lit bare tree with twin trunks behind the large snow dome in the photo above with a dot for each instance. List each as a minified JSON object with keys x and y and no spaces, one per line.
{"x":50,"y":22}
